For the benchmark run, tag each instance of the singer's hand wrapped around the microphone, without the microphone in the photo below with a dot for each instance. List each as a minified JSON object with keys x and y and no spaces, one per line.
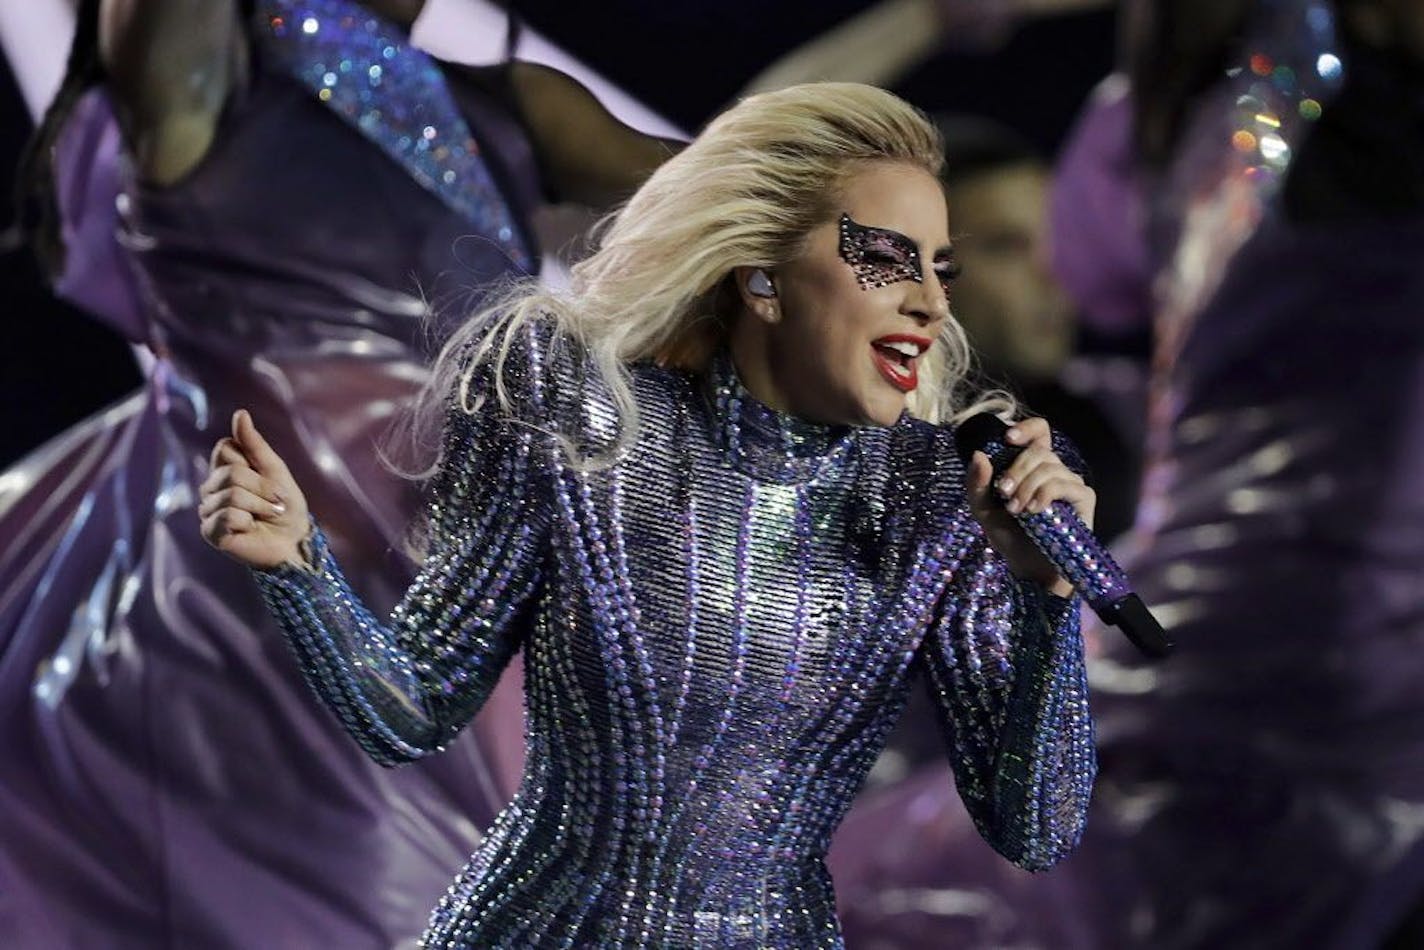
{"x":1035,"y":481}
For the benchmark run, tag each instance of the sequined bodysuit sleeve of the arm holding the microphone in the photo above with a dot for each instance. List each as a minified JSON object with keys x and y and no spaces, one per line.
{"x":1006,"y":669}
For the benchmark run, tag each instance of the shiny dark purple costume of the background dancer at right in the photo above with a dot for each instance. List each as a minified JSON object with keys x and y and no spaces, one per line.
{"x":1265,"y":785}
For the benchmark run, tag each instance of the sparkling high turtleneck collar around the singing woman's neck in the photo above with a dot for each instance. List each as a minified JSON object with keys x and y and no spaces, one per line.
{"x":768,"y":445}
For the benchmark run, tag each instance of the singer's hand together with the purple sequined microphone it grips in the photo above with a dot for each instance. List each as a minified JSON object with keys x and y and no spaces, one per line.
{"x":1042,"y":496}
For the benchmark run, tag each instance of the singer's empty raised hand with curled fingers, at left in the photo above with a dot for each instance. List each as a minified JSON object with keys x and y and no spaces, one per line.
{"x":251,"y":508}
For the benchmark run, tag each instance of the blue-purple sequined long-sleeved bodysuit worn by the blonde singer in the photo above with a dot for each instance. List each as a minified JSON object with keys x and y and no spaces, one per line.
{"x":720,"y":632}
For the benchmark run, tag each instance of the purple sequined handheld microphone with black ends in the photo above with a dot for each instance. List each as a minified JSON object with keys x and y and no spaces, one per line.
{"x":1070,"y":545}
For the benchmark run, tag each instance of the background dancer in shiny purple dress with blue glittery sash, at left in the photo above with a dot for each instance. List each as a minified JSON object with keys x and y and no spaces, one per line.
{"x":294,"y":182}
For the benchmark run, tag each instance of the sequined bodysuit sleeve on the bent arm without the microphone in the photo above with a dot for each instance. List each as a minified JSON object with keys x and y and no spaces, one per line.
{"x":407,"y":686}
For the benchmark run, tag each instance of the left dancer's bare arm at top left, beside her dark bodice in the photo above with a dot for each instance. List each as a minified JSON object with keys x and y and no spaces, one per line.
{"x":170,"y":66}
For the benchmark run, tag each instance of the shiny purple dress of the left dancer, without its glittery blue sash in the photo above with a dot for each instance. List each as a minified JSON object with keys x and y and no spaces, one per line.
{"x":169,"y":781}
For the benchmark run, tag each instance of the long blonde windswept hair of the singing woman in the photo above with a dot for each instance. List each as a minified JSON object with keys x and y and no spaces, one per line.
{"x":745,"y":193}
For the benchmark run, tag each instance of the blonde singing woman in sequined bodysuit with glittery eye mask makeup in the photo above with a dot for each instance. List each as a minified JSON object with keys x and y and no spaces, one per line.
{"x":713,"y":494}
